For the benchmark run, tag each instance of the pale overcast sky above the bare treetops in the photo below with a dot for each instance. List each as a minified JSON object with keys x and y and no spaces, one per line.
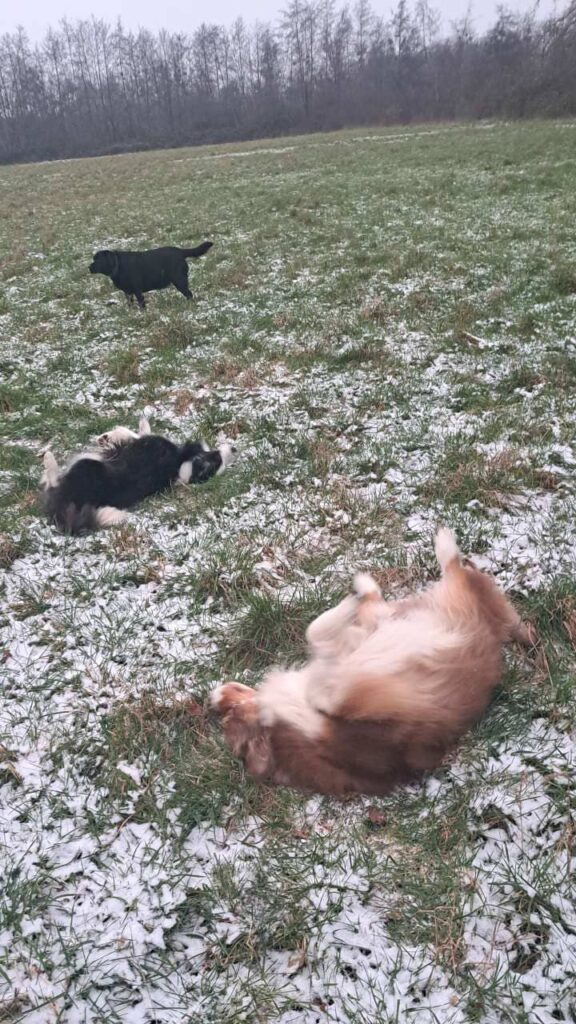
{"x":185,"y":16}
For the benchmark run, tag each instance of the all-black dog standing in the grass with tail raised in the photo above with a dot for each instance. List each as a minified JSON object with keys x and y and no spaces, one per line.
{"x":137,"y":273}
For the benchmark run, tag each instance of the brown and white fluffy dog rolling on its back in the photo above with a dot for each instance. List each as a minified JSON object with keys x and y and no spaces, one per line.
{"x":388,"y":690}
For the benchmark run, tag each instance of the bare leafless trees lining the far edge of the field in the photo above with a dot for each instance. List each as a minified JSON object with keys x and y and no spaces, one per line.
{"x":94,"y":89}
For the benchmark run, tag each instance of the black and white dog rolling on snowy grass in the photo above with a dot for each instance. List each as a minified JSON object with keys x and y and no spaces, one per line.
{"x":98,"y":487}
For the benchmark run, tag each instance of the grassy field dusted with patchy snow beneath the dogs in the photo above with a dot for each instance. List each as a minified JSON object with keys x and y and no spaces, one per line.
{"x":145,"y":880}
